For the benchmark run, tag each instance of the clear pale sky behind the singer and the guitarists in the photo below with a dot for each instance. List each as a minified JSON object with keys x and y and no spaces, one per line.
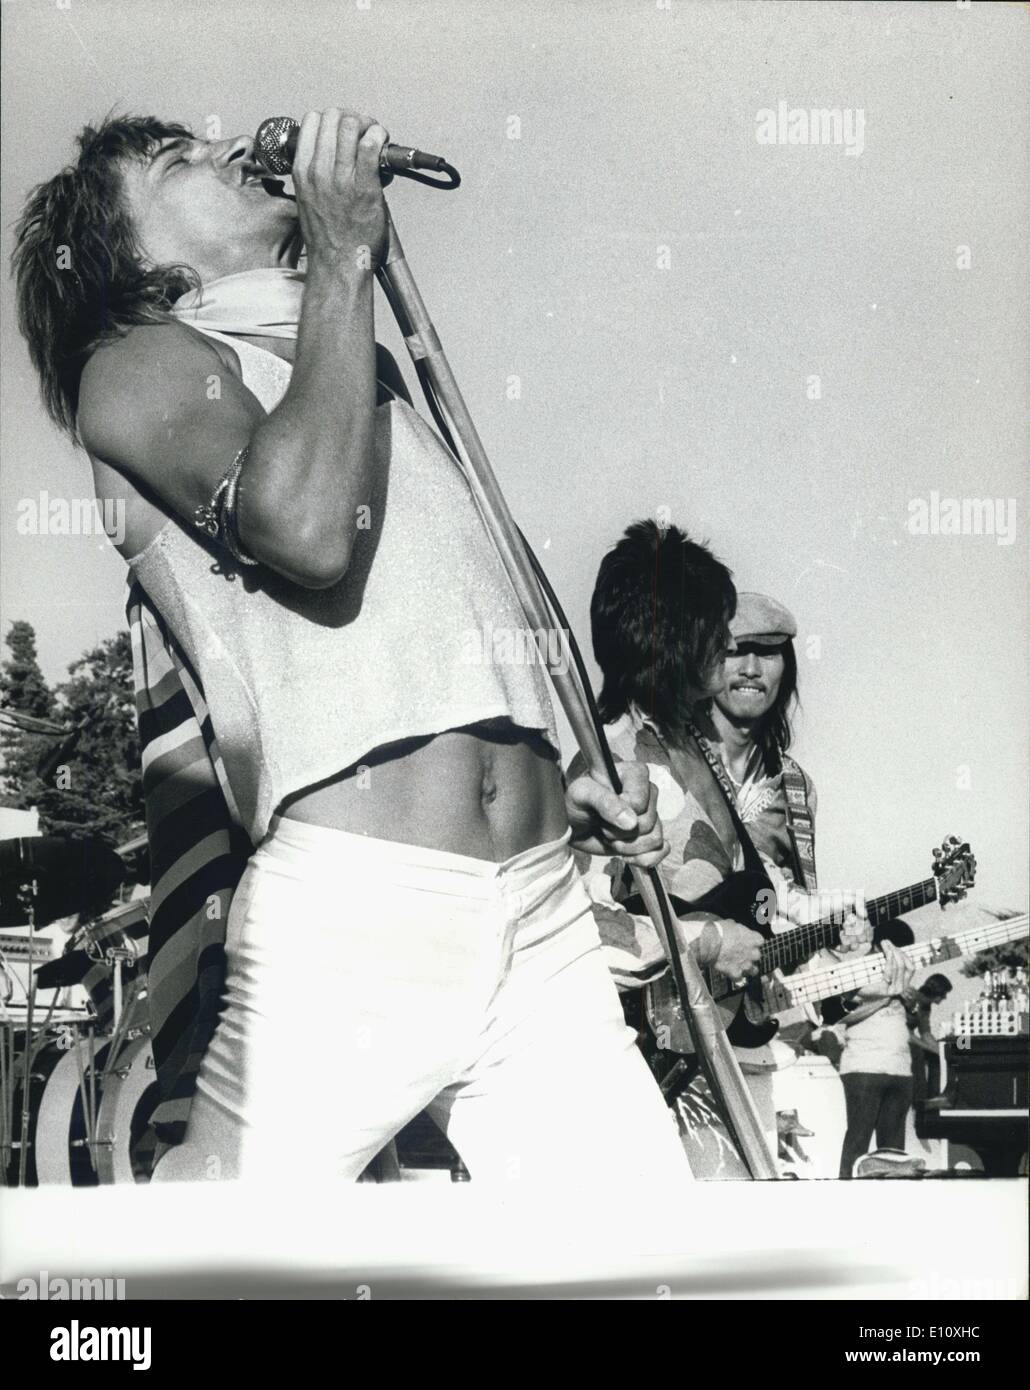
{"x":793,"y":350}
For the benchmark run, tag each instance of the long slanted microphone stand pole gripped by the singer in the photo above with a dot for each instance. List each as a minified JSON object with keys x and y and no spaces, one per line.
{"x":445,"y":400}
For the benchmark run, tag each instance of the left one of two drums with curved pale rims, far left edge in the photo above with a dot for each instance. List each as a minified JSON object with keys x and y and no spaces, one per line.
{"x":56,"y":1138}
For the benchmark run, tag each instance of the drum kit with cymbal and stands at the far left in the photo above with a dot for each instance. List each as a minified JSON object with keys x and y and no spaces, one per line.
{"x":77,"y":1074}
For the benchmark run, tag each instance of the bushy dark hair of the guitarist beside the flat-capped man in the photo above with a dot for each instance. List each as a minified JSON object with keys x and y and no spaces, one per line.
{"x":658,"y":619}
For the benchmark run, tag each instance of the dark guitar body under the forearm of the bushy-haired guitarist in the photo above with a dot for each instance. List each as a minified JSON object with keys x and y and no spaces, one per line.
{"x":742,"y":897}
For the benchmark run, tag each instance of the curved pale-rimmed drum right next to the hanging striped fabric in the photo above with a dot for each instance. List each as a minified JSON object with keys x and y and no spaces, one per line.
{"x":127,"y":1140}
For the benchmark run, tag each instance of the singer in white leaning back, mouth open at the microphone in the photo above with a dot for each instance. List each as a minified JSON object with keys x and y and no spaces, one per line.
{"x":411,"y":904}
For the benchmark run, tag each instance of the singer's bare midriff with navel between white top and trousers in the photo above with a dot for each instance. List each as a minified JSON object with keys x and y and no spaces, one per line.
{"x":487,"y":792}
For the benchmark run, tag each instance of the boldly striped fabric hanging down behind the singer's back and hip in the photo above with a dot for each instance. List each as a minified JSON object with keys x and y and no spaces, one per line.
{"x":198,"y":853}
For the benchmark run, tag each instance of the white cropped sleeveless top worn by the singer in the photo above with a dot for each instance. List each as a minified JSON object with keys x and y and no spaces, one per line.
{"x":304,"y":683}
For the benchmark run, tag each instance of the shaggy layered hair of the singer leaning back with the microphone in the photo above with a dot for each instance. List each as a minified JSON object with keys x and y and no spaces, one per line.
{"x":79,"y":266}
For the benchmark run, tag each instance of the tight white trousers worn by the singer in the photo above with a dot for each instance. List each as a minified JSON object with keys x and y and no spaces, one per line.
{"x":370,"y":981}
